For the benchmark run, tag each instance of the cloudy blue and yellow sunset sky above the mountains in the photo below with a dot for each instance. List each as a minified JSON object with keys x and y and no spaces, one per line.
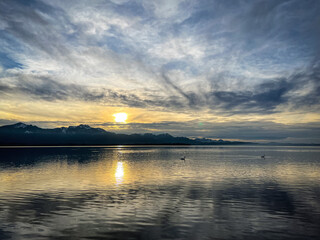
{"x":235,"y":69}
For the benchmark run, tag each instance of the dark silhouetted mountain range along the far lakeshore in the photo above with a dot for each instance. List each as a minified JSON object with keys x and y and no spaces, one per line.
{"x":21,"y":134}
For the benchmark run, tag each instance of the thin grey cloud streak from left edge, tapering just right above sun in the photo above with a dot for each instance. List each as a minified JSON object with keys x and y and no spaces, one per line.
{"x":45,"y":88}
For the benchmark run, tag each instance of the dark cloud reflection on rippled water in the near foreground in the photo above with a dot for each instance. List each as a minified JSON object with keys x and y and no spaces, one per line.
{"x":169,"y":211}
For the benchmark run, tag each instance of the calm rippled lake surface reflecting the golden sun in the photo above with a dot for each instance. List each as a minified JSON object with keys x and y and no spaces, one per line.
{"x":149,"y":193}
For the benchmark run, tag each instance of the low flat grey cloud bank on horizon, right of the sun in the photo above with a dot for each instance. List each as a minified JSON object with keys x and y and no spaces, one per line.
{"x":250,"y":131}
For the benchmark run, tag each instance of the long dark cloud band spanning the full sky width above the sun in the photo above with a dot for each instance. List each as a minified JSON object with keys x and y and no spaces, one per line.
{"x":297,"y":91}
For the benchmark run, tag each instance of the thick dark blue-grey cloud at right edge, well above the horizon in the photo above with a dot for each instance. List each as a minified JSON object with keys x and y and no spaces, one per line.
{"x":267,"y":96}
